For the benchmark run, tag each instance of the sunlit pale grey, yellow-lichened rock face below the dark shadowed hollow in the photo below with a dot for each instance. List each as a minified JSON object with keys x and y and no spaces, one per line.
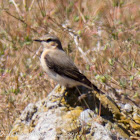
{"x":48,"y":120}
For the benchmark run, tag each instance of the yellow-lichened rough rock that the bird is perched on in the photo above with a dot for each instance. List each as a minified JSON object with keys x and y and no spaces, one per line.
{"x":73,"y":118}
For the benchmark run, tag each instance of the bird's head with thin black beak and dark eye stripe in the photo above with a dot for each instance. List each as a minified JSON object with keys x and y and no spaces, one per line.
{"x":49,"y":42}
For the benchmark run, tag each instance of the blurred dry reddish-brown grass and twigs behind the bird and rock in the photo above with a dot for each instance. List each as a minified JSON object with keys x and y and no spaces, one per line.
{"x":101,"y":36}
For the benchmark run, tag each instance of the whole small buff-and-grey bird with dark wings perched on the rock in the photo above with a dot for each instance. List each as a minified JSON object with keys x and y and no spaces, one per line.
{"x":58,"y":65}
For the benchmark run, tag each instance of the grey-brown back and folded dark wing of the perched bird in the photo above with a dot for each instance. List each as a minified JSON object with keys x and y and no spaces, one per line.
{"x":65,"y":67}
